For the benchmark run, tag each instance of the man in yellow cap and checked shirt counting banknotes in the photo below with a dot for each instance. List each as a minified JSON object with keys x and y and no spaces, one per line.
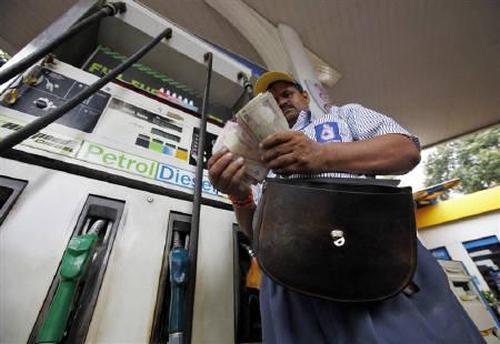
{"x":349,"y":141}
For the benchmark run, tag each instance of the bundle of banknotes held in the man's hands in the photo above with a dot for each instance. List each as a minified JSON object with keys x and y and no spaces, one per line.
{"x":257,"y":120}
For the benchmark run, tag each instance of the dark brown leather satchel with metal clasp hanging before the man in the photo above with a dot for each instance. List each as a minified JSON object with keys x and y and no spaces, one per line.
{"x":347,"y":240}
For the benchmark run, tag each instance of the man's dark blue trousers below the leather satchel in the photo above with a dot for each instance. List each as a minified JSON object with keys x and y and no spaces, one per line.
{"x":433,"y":315}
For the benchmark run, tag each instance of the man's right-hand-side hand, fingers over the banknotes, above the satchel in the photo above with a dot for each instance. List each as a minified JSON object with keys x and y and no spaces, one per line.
{"x":291,"y":152}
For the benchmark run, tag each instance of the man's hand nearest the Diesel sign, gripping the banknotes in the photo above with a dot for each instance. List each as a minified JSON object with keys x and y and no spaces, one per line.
{"x":226,"y":172}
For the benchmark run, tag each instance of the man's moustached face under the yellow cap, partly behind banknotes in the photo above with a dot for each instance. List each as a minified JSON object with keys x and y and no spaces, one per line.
{"x":290,"y":100}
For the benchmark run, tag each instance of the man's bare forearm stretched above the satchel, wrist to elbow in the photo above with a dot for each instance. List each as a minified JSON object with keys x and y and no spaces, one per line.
{"x":386,"y":154}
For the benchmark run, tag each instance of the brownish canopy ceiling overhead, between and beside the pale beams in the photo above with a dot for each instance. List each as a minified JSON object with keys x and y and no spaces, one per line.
{"x":434,"y":65}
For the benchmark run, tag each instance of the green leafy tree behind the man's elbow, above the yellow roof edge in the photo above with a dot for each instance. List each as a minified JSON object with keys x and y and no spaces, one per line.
{"x":475,"y":159}
